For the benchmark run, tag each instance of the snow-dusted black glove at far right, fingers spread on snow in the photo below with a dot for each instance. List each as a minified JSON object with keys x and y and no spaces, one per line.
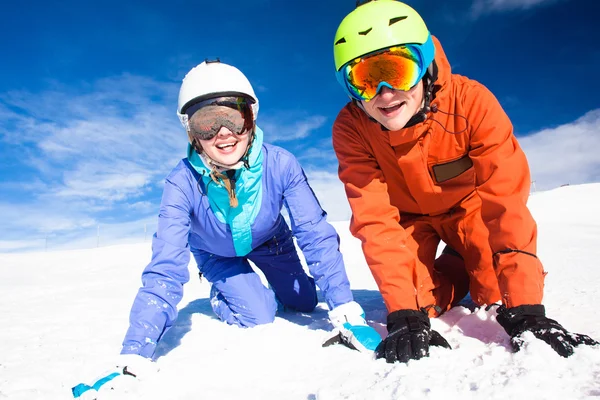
{"x":516,"y":320}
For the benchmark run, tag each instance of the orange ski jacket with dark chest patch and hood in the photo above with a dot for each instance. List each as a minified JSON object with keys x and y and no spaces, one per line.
{"x":432,"y":168}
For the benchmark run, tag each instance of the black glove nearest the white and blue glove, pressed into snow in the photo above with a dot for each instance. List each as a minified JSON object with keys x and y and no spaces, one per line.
{"x":409,"y":337}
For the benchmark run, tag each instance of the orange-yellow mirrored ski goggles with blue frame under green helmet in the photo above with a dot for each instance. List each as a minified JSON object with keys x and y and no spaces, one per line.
{"x":398,"y":68}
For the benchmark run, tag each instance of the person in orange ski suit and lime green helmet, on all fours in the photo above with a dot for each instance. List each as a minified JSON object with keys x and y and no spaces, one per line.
{"x":436,"y":161}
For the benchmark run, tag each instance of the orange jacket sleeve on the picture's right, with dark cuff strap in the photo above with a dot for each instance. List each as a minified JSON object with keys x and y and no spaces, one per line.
{"x":503,"y":183}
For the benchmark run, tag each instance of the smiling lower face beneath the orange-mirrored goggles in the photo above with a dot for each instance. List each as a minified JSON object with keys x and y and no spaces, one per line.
{"x":394,"y":108}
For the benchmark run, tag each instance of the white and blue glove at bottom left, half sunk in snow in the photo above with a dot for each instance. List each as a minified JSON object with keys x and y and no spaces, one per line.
{"x":124,"y":377}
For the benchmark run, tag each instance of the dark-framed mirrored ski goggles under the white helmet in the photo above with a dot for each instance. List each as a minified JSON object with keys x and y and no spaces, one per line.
{"x":206,"y":118}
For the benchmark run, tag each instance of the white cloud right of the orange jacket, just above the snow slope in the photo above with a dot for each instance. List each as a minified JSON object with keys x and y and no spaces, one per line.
{"x":567,"y":154}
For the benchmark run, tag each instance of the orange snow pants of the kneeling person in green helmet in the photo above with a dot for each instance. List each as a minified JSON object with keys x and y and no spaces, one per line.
{"x":441,"y":283}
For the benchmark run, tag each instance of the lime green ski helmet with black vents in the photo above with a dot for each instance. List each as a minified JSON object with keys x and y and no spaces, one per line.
{"x":377,"y":25}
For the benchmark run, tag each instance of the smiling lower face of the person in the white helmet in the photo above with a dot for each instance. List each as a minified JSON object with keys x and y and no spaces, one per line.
{"x":226,"y":148}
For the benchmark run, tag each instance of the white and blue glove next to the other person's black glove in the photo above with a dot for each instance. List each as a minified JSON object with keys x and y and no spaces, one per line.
{"x":353,"y":331}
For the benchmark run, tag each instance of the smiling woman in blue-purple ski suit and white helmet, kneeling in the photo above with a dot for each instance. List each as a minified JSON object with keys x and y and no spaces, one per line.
{"x":197,"y":216}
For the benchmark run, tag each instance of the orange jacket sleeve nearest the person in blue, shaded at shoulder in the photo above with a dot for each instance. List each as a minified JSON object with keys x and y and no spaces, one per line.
{"x":374,"y":220}
